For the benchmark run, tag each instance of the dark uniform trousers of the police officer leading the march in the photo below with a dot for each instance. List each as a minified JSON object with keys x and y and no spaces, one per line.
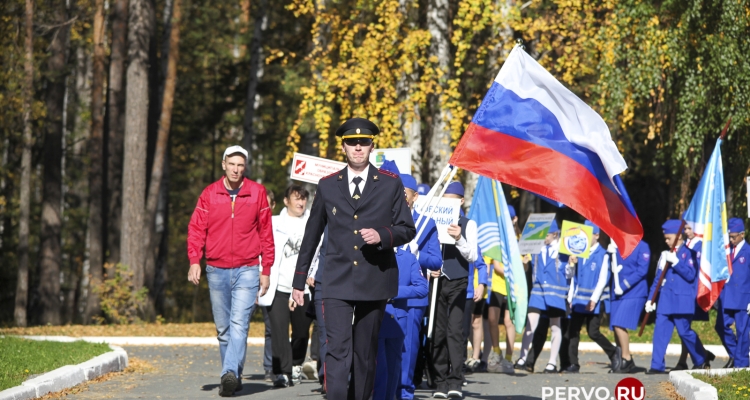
{"x":352,"y":347}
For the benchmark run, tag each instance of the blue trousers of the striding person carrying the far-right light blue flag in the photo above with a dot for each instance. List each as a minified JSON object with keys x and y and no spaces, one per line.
{"x":663,"y":329}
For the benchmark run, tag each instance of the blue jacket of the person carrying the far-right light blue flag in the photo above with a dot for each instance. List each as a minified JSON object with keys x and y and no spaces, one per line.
{"x":677,"y":296}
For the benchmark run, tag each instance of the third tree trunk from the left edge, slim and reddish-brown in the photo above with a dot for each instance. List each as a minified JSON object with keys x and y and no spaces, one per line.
{"x":96,"y":153}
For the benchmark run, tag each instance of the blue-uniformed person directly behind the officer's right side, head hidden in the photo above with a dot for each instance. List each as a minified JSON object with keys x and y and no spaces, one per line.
{"x":411,"y":285}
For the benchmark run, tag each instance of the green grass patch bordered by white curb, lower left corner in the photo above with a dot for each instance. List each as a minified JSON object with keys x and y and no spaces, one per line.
{"x":20,"y":358}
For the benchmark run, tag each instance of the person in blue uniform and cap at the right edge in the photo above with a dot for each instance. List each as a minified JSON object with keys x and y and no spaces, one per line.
{"x":734,"y":301}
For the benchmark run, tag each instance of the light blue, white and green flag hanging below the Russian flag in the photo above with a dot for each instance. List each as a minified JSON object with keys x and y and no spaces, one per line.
{"x":497,"y":239}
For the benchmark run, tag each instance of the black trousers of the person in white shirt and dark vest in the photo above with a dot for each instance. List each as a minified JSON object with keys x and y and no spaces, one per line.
{"x":448,"y":340}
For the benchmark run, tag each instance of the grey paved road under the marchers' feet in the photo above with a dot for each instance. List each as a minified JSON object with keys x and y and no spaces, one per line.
{"x":191,"y":372}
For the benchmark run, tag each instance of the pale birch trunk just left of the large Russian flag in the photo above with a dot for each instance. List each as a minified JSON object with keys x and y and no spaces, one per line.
{"x":438,"y":22}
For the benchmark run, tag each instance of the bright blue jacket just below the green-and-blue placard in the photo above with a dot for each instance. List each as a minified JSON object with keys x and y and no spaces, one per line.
{"x":550,"y":286}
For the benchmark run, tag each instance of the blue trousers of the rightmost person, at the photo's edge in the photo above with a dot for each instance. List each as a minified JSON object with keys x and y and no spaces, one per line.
{"x":737,"y":346}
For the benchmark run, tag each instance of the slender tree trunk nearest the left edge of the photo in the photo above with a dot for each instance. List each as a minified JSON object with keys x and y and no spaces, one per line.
{"x":22,"y":287}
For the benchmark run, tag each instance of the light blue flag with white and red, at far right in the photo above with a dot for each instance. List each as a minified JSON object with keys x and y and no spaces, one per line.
{"x":707,"y":215}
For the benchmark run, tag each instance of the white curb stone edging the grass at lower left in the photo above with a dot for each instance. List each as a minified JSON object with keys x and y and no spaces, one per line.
{"x":68,"y":376}
